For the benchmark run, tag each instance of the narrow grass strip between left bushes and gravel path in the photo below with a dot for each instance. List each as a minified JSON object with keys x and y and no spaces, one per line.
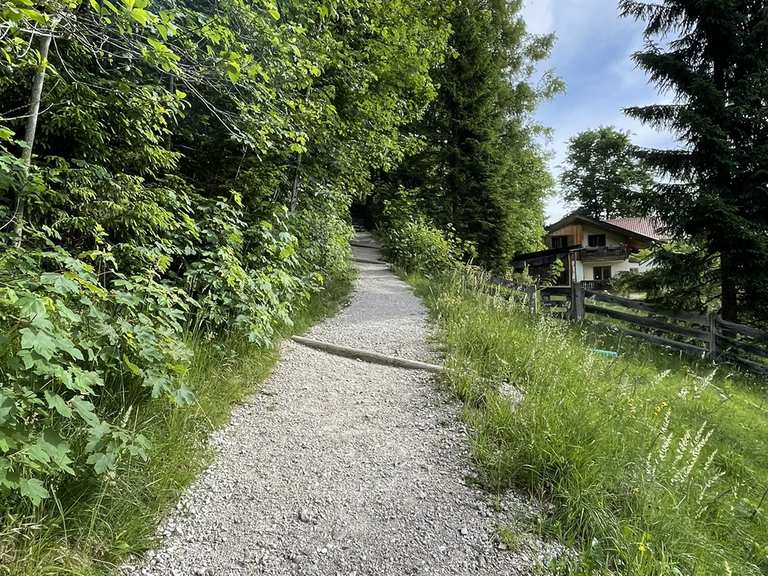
{"x":93,"y":525}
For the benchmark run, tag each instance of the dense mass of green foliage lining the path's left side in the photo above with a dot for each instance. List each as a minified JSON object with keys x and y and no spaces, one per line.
{"x":191,"y":174}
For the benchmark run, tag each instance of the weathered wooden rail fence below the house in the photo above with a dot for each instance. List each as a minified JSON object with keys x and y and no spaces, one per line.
{"x":701,"y":335}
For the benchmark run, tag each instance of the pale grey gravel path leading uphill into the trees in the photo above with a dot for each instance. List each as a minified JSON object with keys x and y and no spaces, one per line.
{"x":339,"y":467}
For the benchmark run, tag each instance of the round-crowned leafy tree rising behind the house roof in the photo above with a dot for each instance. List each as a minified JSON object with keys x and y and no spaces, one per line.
{"x":603,"y":176}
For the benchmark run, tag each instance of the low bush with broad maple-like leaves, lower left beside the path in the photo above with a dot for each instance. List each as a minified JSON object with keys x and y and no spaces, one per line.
{"x":75,"y":357}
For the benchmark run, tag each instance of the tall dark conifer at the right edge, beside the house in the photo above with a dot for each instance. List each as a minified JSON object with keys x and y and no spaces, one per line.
{"x":713,"y":56}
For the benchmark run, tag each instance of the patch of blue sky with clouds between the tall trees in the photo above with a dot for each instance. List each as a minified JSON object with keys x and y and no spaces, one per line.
{"x":592,"y":55}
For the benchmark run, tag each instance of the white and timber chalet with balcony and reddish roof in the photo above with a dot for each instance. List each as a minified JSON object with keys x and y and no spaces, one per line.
{"x":592,"y":252}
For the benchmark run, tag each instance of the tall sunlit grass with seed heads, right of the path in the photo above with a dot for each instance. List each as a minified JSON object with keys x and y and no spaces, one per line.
{"x":649,"y":464}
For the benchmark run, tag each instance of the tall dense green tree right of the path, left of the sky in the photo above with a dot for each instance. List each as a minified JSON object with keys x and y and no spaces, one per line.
{"x":482,"y":171}
